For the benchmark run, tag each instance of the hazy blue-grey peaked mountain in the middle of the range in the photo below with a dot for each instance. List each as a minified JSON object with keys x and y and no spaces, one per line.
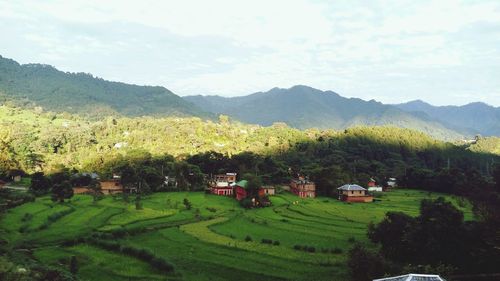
{"x":305,"y":107}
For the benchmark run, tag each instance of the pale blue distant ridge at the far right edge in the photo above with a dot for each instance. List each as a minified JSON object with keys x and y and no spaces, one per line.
{"x":479,"y":117}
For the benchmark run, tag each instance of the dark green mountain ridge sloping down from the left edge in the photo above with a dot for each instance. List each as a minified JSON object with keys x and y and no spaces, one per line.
{"x":54,"y":90}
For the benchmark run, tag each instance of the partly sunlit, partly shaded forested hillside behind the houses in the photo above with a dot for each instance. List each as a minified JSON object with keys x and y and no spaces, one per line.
{"x":47,"y":142}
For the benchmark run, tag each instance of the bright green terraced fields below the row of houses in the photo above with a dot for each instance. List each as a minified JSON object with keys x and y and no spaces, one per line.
{"x":207,"y":242}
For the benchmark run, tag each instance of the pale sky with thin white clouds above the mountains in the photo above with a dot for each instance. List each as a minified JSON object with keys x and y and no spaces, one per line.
{"x":443,"y":52}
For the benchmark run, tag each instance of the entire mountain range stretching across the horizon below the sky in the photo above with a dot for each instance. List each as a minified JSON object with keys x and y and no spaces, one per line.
{"x":39,"y":85}
